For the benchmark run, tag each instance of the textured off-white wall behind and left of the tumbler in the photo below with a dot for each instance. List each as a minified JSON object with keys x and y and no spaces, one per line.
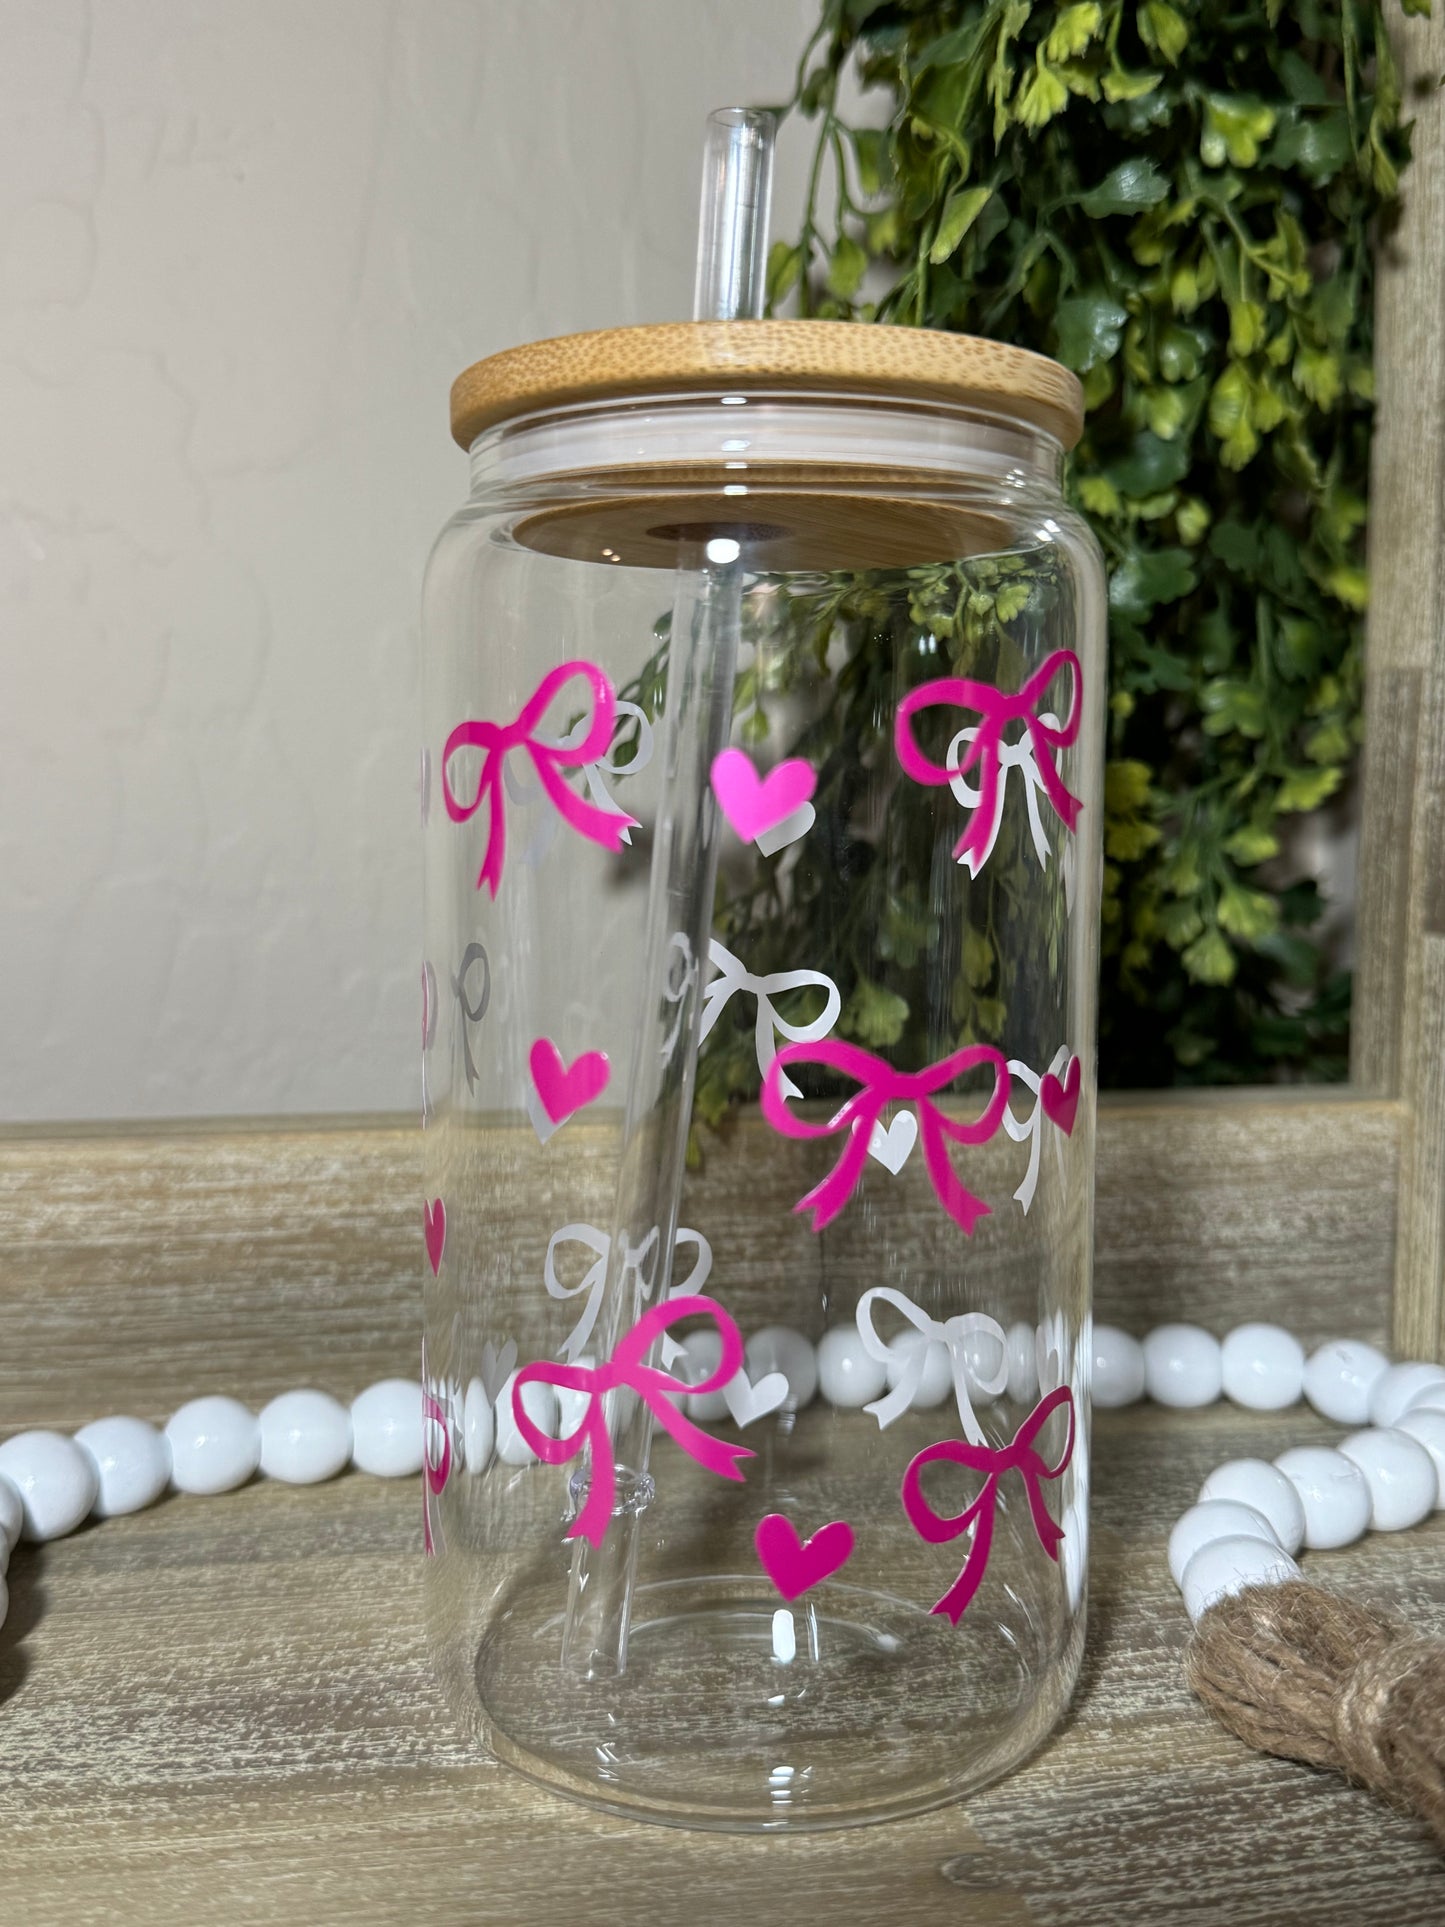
{"x":244,"y":250}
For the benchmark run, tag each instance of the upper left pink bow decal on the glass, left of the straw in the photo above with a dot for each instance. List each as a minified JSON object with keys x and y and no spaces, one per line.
{"x":548,"y":760}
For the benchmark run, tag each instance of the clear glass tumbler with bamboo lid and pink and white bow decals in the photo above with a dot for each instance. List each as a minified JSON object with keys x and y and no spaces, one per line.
{"x":762,"y":785}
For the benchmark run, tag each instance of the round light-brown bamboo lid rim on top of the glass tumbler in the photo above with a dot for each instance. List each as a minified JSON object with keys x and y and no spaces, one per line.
{"x":866,"y":357}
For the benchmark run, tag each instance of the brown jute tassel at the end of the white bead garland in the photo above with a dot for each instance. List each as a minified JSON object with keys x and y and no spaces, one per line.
{"x":1300,"y":1672}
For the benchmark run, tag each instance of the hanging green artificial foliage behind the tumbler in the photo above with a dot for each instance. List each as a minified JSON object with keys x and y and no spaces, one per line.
{"x":1180,"y":201}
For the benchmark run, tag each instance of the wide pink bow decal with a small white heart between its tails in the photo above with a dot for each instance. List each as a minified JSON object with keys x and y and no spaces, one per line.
{"x":885,"y":1086}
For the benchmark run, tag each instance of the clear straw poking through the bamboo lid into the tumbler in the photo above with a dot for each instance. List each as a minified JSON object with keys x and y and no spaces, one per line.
{"x":698,"y":718}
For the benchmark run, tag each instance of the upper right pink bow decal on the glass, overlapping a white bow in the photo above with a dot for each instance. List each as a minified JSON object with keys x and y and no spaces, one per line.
{"x":984,"y":754}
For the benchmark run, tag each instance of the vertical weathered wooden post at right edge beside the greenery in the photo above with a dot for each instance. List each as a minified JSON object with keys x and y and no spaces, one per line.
{"x":1400,"y":1003}
